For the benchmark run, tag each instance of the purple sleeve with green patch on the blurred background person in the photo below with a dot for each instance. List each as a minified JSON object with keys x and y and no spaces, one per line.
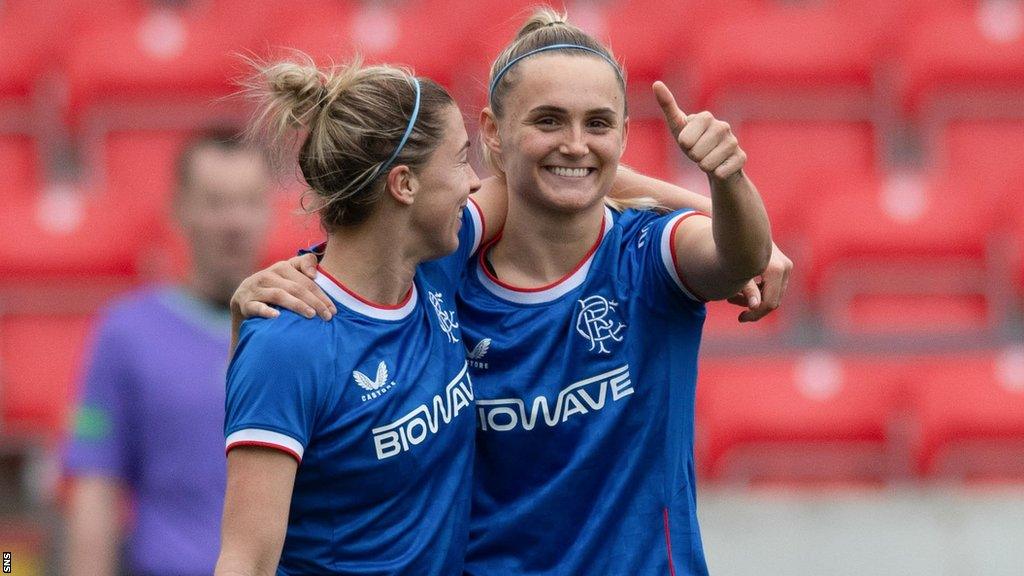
{"x":99,"y":440}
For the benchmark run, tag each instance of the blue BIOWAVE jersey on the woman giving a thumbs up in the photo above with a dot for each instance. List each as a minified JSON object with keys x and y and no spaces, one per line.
{"x":585,"y":410}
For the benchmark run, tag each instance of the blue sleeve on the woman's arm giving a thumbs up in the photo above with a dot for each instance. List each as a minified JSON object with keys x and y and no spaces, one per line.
{"x":655,"y":261}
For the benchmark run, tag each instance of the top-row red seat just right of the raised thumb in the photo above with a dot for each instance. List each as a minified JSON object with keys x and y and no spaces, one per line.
{"x":788,"y":61}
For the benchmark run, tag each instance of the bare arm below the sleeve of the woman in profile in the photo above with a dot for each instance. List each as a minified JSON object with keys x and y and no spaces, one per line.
{"x":257,"y":505}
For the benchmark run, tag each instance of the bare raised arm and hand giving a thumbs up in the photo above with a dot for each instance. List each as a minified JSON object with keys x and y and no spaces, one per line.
{"x":717,"y":259}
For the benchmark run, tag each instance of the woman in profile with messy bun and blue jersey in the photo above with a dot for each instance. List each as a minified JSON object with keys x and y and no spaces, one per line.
{"x":322,"y":458}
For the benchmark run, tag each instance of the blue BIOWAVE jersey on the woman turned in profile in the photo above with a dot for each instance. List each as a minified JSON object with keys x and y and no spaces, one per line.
{"x":377,"y":406}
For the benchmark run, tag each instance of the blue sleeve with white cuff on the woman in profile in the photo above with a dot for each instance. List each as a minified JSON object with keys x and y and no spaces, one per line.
{"x":274,"y":387}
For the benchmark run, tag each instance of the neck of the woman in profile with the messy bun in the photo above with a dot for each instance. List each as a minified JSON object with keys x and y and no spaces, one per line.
{"x":370,"y":262}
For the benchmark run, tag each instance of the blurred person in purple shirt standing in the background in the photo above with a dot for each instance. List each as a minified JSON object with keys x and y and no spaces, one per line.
{"x":150,"y":421}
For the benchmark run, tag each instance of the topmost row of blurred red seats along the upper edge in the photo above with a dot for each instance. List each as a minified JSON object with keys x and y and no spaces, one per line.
{"x":839,"y":53}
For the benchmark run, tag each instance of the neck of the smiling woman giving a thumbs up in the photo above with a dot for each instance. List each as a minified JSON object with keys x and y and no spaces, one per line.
{"x":539,"y":248}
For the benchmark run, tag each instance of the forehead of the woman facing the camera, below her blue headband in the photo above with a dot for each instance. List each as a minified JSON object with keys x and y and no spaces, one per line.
{"x":569,"y":81}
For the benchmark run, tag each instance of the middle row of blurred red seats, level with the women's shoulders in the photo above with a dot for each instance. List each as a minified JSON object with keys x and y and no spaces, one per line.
{"x":856,"y":232}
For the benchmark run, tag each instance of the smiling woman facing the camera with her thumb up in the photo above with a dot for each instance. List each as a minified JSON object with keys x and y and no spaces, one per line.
{"x":586,"y":407}
